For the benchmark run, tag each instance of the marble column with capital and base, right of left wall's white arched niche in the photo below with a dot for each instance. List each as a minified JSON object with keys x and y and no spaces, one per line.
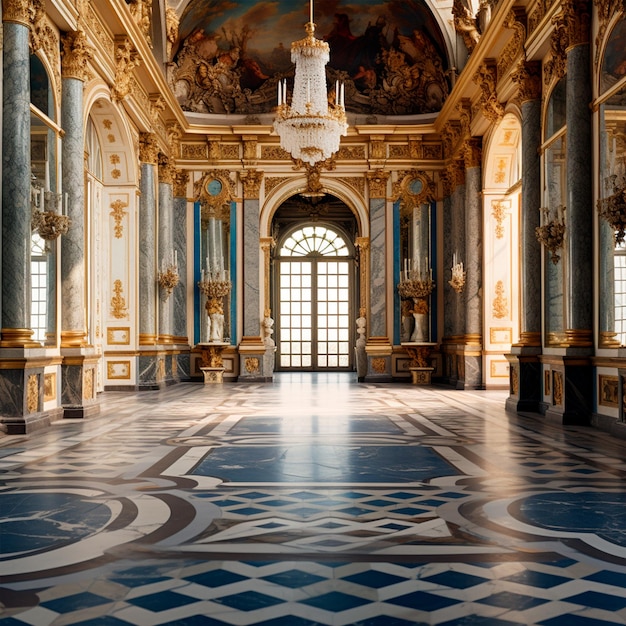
{"x":149,"y":371}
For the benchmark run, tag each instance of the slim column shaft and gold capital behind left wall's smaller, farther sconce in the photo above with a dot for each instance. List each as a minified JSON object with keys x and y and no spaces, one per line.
{"x":166,"y":255}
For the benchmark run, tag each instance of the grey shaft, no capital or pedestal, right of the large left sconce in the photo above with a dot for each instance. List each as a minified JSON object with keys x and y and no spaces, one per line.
{"x":73,"y":277}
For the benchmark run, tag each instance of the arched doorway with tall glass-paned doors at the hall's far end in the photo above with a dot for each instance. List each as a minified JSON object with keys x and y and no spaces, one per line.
{"x":314,"y":285}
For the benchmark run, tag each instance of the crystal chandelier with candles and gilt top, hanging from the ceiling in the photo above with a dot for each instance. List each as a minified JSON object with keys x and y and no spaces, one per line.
{"x":310,"y":127}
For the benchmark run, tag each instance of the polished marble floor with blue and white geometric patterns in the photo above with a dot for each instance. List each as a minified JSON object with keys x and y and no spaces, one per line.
{"x":314,"y":500}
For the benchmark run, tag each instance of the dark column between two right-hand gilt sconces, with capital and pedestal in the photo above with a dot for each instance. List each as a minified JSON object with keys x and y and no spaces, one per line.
{"x":575,"y":405}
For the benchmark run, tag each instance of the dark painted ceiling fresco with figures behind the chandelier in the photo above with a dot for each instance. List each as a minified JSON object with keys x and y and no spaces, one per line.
{"x":231,"y":55}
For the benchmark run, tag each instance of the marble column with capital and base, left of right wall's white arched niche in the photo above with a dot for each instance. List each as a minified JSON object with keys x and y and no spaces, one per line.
{"x":473,"y":311}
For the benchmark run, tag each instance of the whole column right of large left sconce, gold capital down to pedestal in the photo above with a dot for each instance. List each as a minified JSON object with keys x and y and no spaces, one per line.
{"x":78,"y":370}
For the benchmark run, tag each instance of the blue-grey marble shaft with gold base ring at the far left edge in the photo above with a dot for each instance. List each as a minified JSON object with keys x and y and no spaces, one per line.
{"x":16,"y":210}
